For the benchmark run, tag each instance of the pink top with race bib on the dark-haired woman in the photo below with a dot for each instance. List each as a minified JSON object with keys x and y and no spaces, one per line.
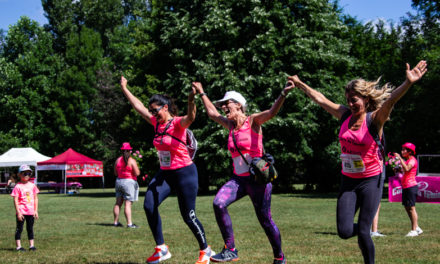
{"x":172,"y":153}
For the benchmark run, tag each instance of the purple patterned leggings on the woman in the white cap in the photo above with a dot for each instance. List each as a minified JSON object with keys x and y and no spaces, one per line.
{"x":260,"y":195}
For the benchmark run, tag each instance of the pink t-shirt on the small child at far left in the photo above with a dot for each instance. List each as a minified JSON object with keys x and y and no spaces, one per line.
{"x":26,"y":194}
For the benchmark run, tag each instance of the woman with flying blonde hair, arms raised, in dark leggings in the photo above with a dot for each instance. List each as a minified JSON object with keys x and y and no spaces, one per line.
{"x":361,"y":186}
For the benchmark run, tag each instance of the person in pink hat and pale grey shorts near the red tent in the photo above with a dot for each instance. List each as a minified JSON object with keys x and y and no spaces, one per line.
{"x":126,"y":186}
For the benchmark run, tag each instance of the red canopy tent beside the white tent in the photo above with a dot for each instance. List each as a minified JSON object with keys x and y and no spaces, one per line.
{"x":73,"y":165}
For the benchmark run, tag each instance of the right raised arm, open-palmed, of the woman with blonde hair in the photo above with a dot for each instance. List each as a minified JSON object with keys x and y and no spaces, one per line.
{"x":381,"y":115}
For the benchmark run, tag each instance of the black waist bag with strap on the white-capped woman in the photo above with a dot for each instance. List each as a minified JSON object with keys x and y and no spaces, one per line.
{"x":260,"y":168}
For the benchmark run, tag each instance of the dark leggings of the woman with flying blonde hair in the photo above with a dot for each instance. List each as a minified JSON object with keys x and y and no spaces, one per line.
{"x":363,"y":194}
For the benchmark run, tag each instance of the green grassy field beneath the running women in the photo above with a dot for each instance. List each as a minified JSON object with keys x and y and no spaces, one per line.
{"x":78,"y":229}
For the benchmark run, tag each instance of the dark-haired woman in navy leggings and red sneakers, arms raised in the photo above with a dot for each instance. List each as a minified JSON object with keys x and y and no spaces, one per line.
{"x":177,"y":171}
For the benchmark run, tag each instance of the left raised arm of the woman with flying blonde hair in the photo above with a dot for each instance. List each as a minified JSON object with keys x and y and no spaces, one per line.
{"x":334,"y":109}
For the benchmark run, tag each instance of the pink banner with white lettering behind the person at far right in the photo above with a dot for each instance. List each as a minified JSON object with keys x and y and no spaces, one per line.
{"x":429,"y":189}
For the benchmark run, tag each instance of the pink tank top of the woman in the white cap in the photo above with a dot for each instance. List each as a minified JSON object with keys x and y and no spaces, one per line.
{"x":250,"y":144}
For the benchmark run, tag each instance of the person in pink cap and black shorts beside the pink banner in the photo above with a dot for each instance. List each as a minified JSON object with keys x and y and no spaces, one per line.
{"x":409,"y":185}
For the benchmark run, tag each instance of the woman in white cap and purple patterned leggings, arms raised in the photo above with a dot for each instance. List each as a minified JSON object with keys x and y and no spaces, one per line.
{"x":249,"y":140}
